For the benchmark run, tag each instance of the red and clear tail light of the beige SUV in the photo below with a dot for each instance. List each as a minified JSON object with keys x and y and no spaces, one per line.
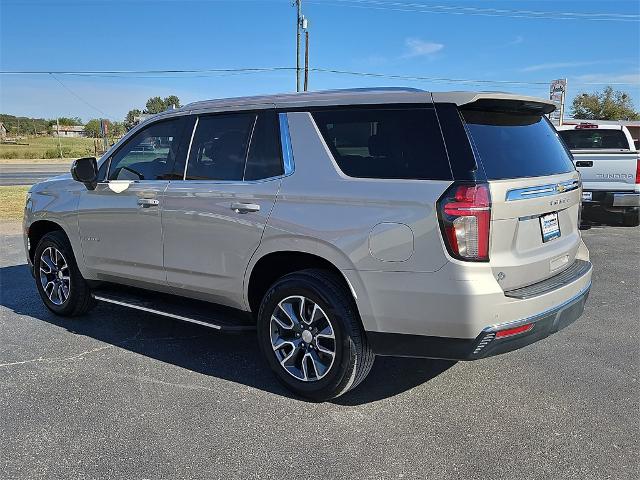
{"x":465,"y":219}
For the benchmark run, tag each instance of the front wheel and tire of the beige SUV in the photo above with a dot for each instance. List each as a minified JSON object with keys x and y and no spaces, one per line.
{"x":59,"y":282}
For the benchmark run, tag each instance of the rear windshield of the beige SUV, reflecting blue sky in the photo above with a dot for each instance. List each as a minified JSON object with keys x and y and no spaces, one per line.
{"x":512,"y":145}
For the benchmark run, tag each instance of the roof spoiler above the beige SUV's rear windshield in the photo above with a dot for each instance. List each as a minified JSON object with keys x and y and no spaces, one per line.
{"x":496,"y":101}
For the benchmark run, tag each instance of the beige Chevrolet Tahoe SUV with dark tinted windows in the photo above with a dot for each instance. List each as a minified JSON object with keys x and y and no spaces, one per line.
{"x":340,"y":225}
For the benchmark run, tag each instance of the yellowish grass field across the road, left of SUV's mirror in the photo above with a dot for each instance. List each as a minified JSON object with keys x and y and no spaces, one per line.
{"x":47,"y":147}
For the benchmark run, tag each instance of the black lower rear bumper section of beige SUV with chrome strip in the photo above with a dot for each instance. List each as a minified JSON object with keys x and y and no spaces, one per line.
{"x":487,"y":343}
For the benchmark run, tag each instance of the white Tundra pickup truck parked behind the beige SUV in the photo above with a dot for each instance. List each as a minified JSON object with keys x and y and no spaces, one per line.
{"x":607,"y":159}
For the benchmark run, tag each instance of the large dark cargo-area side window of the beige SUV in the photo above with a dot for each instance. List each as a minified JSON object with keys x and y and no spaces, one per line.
{"x":385,"y":143}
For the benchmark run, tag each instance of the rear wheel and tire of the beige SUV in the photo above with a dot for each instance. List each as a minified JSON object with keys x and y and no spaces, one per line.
{"x":310,"y":334}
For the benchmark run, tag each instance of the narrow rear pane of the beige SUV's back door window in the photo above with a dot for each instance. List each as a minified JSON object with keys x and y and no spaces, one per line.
{"x":265,"y":152}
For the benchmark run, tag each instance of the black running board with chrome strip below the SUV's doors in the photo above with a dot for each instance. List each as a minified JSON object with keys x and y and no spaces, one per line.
{"x":217,"y":317}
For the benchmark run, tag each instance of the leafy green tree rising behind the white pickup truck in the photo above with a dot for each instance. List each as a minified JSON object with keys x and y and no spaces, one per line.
{"x":609,"y":104}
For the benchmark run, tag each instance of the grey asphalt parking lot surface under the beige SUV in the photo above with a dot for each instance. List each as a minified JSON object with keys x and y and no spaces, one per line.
{"x":122,"y":394}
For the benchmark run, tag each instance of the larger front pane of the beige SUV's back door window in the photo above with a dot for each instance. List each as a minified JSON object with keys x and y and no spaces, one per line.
{"x":219,"y":147}
